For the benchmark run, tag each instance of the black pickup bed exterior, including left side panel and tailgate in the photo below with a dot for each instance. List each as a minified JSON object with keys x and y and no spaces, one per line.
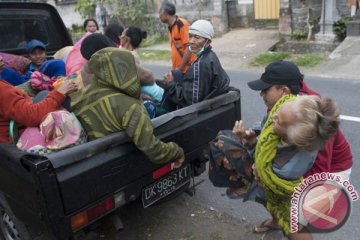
{"x":46,"y":191}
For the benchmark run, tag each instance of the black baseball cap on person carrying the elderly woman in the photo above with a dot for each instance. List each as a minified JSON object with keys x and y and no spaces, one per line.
{"x":279,"y":73}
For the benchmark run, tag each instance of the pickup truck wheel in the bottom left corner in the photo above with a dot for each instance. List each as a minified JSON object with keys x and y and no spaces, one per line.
{"x":12,"y":228}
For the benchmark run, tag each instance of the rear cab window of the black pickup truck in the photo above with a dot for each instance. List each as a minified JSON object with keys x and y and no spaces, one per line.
{"x":17,"y":32}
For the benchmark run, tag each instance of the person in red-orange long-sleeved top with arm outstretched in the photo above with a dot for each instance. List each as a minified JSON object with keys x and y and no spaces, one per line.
{"x":18,"y":106}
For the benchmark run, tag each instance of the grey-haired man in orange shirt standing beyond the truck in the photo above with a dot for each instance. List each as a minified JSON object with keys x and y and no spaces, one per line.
{"x":181,"y":56}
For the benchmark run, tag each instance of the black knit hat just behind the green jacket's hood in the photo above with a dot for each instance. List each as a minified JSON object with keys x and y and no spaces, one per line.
{"x":93,"y":43}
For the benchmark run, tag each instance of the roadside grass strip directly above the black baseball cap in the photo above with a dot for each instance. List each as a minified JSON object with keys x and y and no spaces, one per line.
{"x":303,"y":60}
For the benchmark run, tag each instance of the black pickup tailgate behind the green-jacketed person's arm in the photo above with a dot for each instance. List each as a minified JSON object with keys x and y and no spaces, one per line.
{"x":90,"y":172}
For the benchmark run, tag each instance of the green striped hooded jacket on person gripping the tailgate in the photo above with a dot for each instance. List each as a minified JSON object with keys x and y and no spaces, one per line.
{"x":111,"y":103}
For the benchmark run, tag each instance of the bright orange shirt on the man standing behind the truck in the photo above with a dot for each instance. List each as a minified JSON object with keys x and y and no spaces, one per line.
{"x":179,"y":37}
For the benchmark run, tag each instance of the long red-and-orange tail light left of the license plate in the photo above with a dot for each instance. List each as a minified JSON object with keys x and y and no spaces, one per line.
{"x":85,"y":217}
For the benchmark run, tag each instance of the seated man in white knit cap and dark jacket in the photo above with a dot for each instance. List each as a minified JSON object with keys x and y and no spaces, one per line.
{"x":204,"y":79}
